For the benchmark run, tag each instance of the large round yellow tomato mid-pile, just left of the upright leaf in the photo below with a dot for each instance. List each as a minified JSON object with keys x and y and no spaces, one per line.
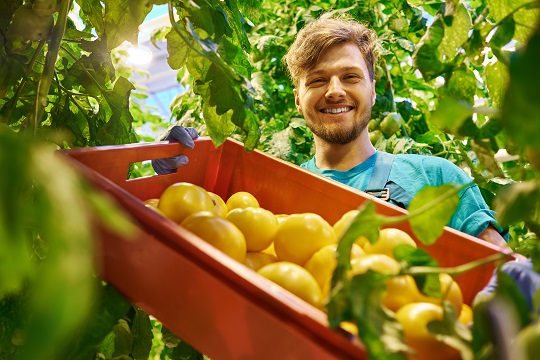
{"x":300,"y":235}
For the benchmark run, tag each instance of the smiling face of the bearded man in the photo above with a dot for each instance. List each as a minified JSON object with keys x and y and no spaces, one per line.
{"x":336,"y":96}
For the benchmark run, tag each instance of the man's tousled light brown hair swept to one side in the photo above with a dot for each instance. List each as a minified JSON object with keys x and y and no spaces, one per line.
{"x":318,"y":36}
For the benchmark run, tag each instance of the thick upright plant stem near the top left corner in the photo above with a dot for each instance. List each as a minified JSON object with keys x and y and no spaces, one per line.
{"x":45,"y":81}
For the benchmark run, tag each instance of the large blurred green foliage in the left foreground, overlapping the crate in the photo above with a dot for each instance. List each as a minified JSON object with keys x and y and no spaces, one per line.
{"x":46,"y":271}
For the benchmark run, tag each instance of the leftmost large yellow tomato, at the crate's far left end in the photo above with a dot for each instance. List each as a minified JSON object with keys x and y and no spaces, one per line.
{"x":182,"y":199}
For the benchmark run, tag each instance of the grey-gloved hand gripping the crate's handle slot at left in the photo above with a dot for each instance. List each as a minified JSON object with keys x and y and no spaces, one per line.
{"x":184,"y":136}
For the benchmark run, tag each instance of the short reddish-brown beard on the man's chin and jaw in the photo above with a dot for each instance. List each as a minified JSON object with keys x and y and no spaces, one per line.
{"x":339,"y":135}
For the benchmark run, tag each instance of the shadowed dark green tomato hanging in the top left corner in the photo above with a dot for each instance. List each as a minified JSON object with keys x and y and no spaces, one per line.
{"x":30,"y":26}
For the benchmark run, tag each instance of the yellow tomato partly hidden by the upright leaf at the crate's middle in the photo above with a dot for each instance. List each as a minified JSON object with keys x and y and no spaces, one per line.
{"x":323,"y":263}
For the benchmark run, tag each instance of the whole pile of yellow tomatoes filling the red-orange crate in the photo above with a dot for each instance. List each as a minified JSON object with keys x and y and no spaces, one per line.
{"x":298,"y":252}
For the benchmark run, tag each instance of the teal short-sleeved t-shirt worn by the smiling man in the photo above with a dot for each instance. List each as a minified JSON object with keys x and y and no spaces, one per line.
{"x":412,"y":173}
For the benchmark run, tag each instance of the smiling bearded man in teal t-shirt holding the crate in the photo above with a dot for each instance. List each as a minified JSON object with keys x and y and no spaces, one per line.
{"x":331,"y":64}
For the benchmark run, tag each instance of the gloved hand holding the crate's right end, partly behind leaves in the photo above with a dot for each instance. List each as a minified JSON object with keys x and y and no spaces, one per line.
{"x":523,"y":274}
